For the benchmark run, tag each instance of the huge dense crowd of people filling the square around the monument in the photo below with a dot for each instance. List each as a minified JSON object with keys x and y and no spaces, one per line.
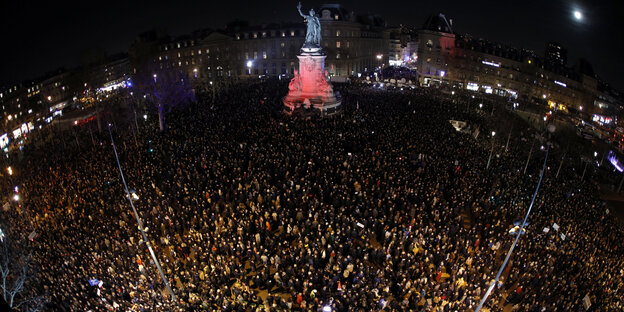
{"x":384,"y":206}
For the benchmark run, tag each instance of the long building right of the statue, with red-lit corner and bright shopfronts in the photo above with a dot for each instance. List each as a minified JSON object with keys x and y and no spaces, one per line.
{"x":445,"y":57}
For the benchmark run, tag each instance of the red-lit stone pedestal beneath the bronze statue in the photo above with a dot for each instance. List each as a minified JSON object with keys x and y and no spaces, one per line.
{"x":309,"y":89}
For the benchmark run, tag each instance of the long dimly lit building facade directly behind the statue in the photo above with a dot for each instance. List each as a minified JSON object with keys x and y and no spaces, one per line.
{"x":353,"y":44}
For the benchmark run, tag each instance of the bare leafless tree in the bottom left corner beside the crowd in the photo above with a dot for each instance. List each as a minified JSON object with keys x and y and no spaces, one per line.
{"x":14,"y":270}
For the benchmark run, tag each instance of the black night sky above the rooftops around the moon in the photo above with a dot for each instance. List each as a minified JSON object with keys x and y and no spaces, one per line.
{"x":39,"y":37}
